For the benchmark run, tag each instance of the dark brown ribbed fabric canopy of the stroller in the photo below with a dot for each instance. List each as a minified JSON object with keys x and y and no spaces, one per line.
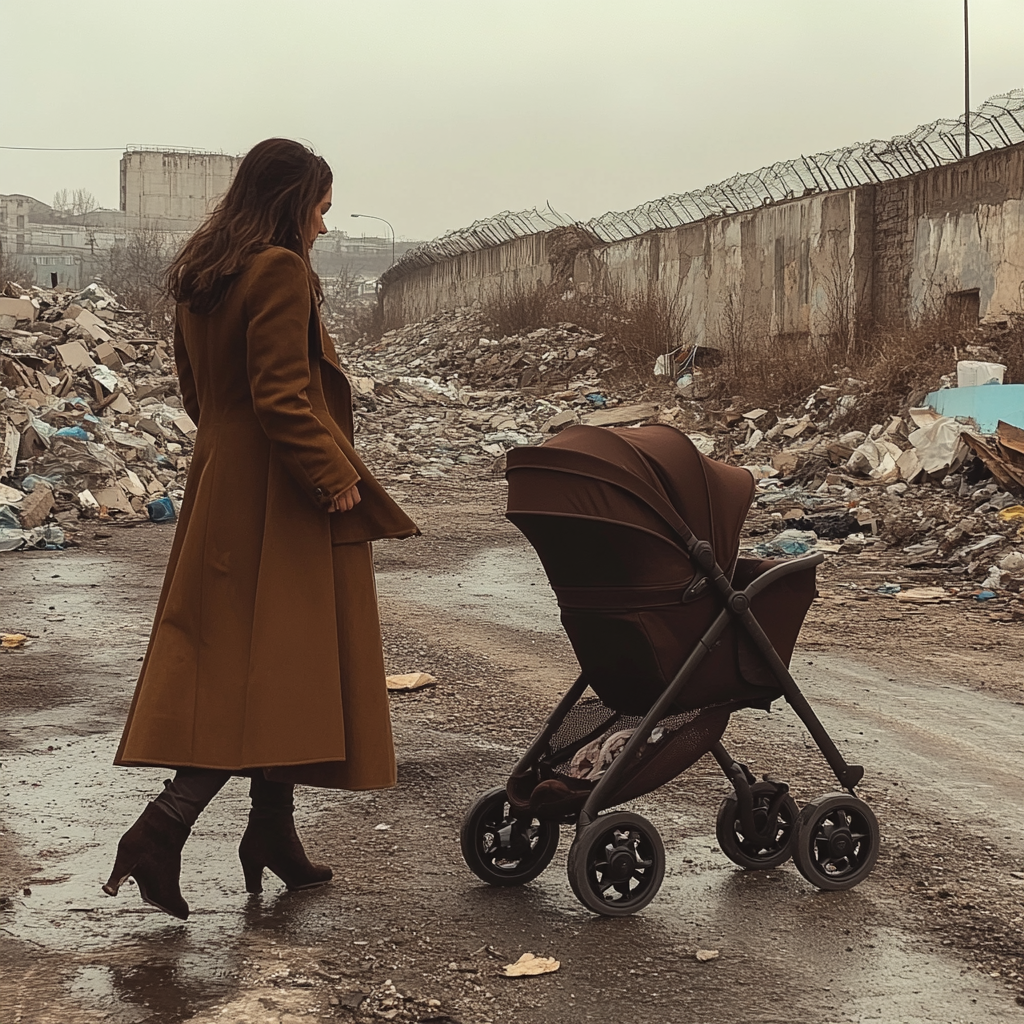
{"x":606,"y":507}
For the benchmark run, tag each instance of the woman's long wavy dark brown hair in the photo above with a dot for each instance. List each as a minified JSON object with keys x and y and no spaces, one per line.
{"x":270,"y":203}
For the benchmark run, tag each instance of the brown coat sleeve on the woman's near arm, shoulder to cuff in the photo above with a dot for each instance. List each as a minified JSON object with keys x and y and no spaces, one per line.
{"x":278,"y":306}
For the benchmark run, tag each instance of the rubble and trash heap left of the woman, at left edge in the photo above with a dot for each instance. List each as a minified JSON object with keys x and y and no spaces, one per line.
{"x":92,"y":422}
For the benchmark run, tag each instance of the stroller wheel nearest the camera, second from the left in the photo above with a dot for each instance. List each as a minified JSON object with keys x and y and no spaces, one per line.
{"x":617,"y":865}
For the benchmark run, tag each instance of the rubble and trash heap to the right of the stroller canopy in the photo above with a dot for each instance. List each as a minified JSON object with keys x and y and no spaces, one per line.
{"x":926,"y":488}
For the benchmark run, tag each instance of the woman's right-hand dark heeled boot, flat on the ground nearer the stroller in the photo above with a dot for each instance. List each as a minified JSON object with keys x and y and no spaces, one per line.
{"x":271,"y":841}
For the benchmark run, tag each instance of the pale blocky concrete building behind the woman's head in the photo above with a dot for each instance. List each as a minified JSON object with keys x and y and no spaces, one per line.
{"x":159,"y":189}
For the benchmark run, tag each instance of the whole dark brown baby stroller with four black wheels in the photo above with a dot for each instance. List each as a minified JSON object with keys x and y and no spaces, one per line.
{"x":639,"y":534}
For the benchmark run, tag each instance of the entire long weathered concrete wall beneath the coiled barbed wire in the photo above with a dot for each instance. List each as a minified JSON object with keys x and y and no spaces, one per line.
{"x":825,"y":265}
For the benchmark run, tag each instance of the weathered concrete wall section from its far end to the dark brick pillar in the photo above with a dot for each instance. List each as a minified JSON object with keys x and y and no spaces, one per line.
{"x":789,"y":270}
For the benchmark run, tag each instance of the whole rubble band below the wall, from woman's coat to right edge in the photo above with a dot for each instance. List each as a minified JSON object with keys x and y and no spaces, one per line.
{"x":925,"y":489}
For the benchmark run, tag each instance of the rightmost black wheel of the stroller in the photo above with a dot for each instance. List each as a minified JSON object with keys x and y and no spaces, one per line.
{"x":837,"y":842}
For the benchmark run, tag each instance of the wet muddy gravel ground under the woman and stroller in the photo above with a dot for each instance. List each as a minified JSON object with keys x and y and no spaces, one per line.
{"x":930,"y":700}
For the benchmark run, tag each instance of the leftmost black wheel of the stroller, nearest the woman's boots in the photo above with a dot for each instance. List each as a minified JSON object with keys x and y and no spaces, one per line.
{"x":503,"y":847}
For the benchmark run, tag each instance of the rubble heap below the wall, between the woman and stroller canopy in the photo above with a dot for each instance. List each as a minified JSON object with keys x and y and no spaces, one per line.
{"x":445,"y":393}
